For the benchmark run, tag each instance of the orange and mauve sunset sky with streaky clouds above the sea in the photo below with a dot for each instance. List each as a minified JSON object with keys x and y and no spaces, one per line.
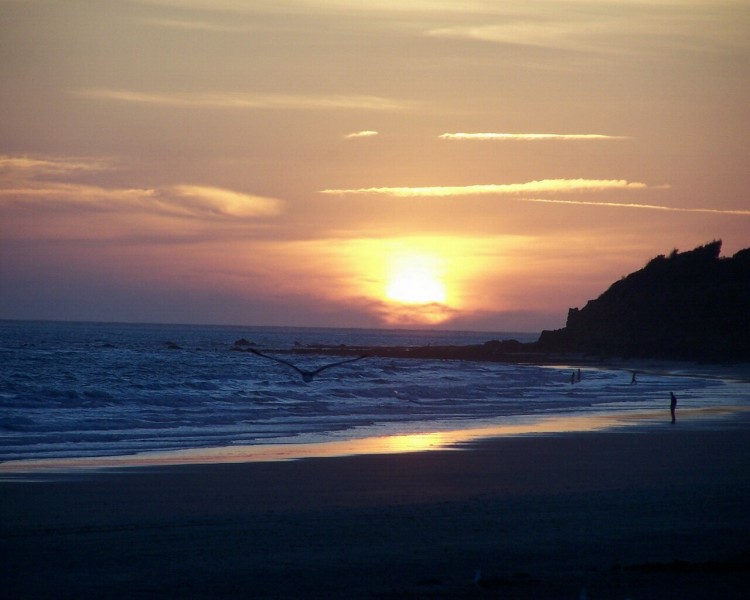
{"x":452,"y":164}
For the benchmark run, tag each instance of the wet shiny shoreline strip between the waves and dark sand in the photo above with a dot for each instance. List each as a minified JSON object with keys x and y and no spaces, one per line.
{"x":641,"y":421}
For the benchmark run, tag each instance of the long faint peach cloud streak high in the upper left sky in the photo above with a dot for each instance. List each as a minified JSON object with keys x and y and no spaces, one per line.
{"x":245,"y":100}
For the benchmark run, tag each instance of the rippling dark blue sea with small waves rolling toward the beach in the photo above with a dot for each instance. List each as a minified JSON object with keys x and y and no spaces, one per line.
{"x":74,"y":390}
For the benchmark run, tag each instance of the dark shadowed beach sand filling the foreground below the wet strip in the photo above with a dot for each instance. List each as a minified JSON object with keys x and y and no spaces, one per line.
{"x":546,"y":516}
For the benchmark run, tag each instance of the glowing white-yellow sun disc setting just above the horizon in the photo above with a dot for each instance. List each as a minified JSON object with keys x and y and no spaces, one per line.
{"x":416,"y":279}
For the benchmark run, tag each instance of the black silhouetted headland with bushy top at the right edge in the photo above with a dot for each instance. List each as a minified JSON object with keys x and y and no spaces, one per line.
{"x":690,"y":305}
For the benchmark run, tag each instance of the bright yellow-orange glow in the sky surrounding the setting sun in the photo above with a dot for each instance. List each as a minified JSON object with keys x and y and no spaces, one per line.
{"x":422,"y":280}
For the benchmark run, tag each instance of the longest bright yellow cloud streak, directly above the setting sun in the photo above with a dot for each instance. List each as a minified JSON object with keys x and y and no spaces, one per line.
{"x":544,"y":185}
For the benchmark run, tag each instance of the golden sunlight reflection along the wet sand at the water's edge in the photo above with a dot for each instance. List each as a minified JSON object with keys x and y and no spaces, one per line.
{"x":449,"y":440}
